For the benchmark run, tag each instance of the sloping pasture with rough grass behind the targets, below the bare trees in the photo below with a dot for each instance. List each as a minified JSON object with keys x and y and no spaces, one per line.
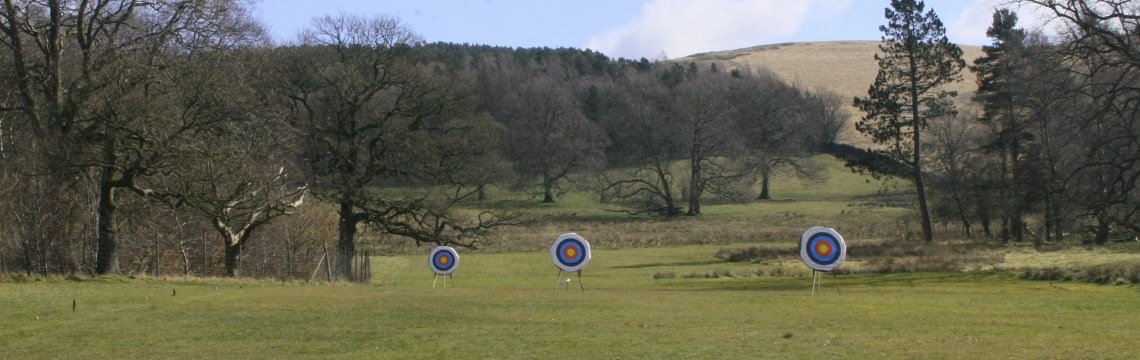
{"x":849,"y":202}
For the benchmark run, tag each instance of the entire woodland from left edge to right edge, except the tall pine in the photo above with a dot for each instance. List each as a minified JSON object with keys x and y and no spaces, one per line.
{"x":167,"y":137}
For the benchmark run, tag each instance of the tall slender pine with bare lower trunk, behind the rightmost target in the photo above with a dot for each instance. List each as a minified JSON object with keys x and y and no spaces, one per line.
{"x":916,"y":62}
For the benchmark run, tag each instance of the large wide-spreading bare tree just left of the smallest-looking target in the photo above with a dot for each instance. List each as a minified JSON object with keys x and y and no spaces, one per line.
{"x":369,"y":118}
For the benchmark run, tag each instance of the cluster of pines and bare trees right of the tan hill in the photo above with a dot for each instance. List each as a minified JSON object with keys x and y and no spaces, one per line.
{"x":1051,"y":146}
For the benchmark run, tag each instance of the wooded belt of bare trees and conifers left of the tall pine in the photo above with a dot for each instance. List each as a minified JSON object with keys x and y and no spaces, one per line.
{"x":167,"y":137}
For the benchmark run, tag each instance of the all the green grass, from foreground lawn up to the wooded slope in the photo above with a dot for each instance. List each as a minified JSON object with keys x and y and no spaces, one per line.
{"x":655,"y":290}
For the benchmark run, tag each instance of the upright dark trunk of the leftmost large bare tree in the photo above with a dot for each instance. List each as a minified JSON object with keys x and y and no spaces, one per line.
{"x":107,"y":259}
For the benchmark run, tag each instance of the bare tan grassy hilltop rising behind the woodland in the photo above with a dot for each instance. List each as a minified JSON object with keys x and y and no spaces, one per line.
{"x":846,"y":68}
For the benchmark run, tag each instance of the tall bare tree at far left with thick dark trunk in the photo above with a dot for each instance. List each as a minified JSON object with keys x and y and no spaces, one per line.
{"x":92,"y":78}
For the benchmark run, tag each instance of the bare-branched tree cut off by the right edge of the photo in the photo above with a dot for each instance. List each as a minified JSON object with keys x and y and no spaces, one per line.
{"x":1103,"y":56}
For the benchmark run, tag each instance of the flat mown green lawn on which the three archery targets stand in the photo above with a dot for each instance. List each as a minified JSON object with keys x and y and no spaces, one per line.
{"x":506,"y":307}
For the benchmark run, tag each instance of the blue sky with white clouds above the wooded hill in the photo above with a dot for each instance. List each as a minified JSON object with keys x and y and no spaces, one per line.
{"x":634,"y":29}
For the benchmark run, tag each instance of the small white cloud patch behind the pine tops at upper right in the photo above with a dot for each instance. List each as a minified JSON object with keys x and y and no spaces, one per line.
{"x":971,"y":27}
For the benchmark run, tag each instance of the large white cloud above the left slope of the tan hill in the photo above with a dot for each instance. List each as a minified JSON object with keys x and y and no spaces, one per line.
{"x":682,"y":28}
